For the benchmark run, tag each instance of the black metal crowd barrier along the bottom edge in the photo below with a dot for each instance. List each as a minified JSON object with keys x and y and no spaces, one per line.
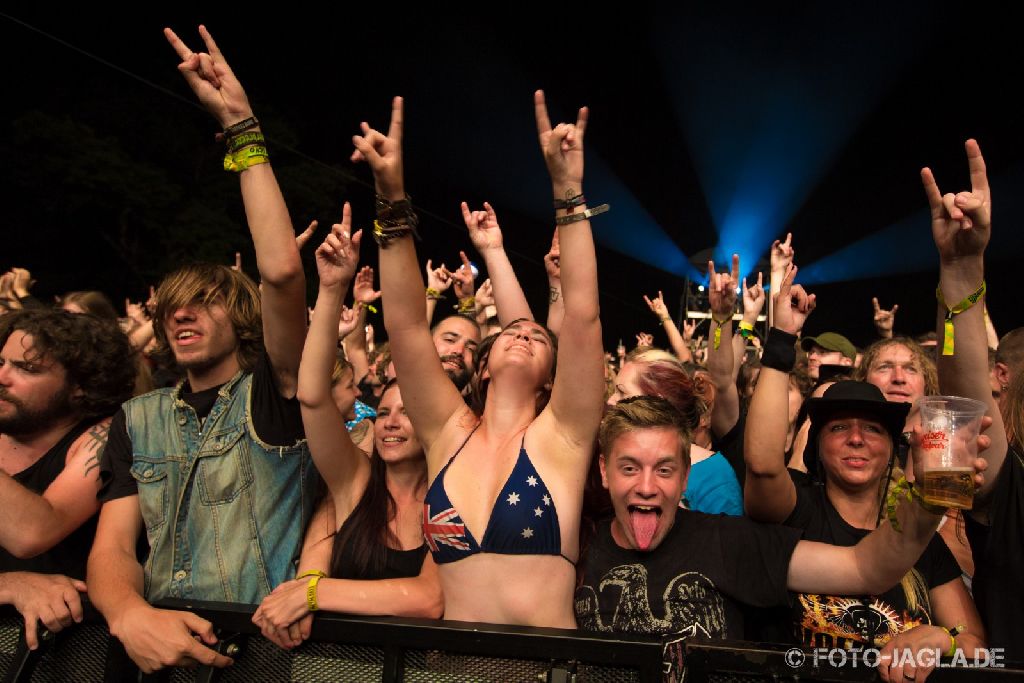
{"x":355,"y":649}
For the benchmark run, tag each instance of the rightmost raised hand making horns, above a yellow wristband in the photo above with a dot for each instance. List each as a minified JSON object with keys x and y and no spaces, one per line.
{"x":962,"y":224}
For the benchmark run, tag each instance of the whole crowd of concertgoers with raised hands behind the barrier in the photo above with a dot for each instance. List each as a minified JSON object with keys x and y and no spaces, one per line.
{"x":224,"y":443}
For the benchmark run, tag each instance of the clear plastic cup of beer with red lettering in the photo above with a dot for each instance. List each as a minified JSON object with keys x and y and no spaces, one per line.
{"x":950,"y":445}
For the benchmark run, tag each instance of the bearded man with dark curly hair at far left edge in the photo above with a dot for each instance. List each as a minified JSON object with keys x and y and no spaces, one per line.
{"x":62,"y":376}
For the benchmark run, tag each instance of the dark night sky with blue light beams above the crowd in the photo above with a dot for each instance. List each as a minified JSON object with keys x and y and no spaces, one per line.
{"x":710,"y":131}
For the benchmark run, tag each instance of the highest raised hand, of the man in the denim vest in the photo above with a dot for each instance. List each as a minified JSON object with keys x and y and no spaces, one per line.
{"x":211,"y":79}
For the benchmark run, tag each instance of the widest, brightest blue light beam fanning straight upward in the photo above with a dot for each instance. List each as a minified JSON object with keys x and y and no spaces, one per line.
{"x":763,"y":119}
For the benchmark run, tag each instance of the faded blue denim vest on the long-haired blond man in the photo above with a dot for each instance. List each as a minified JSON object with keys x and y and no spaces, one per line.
{"x":225,"y":513}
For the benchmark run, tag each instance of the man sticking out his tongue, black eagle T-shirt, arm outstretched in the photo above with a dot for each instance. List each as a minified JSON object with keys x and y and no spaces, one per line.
{"x":660,"y":570}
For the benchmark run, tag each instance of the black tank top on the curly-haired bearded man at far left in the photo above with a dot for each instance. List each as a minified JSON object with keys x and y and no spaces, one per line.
{"x":69,"y":557}
